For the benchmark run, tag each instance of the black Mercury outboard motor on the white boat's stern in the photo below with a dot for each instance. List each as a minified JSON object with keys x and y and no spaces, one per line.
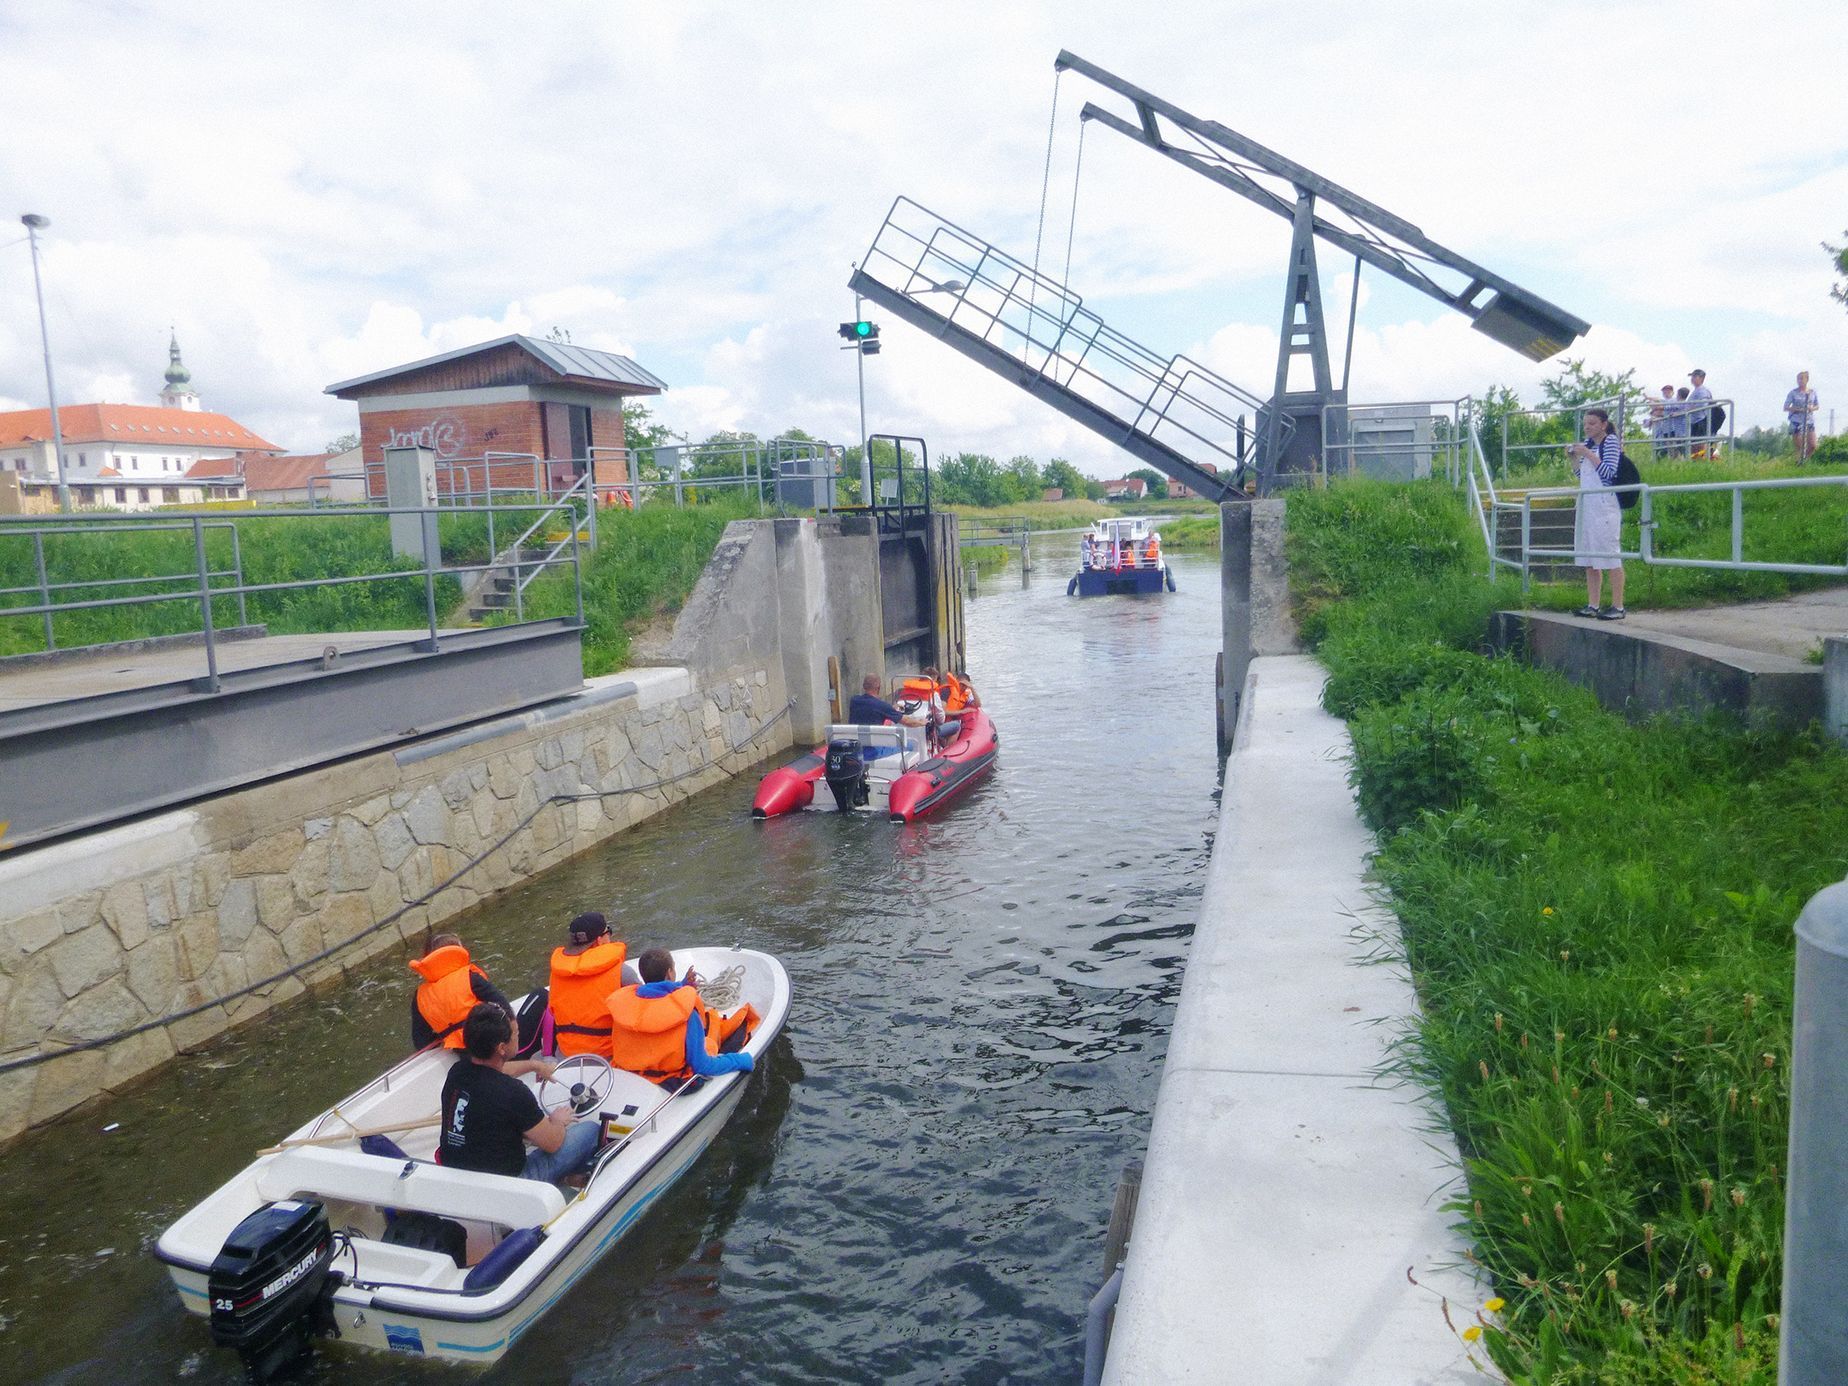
{"x":271,"y":1287}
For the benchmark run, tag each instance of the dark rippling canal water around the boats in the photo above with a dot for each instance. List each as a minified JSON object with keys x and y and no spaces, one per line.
{"x":916,"y":1187}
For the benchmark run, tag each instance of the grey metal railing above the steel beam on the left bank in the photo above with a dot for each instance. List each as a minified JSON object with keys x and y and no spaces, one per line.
{"x":204,"y":583}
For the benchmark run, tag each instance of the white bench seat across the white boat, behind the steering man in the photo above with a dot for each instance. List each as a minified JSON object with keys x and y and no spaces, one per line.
{"x":380,"y":1182}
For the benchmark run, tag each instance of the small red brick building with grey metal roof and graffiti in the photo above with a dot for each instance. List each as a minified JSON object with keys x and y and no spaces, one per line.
{"x":487,"y":411}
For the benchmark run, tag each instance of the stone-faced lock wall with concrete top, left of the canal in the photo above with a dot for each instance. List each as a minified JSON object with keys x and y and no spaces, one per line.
{"x":145,"y":921}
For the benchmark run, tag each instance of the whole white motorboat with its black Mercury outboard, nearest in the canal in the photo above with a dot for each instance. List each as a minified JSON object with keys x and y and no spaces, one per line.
{"x":324,"y":1235}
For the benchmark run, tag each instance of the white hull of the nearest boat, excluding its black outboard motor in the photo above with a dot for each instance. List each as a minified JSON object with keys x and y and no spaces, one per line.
{"x":411,"y":1302}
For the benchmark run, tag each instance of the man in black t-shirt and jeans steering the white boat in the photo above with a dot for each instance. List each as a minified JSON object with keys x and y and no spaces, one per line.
{"x":491,"y":1115}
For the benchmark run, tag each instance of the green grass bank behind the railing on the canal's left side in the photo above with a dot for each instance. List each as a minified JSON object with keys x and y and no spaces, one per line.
{"x":646,"y":566}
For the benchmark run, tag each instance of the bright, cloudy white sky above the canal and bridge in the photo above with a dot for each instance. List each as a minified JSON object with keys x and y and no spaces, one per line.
{"x":313,"y":193}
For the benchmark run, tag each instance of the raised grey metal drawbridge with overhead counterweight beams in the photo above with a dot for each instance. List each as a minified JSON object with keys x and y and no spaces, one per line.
{"x":1174,"y":413}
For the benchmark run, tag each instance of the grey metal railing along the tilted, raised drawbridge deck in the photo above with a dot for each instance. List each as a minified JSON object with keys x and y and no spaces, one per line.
{"x":1047,"y":326}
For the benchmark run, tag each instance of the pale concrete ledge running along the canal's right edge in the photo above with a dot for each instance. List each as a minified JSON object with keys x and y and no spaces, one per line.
{"x":1287,"y":1193}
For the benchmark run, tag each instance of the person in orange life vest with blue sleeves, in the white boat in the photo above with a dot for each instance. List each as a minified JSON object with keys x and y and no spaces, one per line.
{"x":664,"y":1032}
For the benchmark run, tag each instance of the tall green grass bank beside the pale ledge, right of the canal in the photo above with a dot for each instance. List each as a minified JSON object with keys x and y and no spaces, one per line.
{"x":1598,"y":919}
